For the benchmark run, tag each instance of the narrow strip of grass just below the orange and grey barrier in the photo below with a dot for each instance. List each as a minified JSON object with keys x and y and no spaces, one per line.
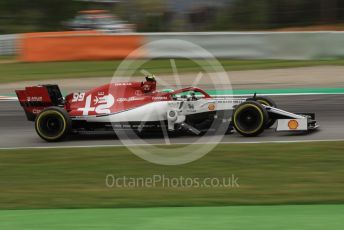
{"x":12,"y":72}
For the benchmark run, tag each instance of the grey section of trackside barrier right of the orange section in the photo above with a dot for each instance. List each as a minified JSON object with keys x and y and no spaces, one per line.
{"x":254,"y":45}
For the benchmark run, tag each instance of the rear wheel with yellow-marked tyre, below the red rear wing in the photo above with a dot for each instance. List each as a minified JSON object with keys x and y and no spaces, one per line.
{"x":53,"y":124}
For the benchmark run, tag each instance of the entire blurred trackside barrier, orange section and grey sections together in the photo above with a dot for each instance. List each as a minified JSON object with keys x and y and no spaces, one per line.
{"x":239,"y":45}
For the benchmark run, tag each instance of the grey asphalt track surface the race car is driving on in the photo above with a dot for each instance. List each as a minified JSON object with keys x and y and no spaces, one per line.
{"x":17,"y":132}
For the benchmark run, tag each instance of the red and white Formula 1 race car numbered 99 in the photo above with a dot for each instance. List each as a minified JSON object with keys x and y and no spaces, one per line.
{"x":139,"y":106}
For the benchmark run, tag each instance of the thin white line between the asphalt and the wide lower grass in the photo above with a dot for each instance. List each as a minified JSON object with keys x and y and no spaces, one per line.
{"x":181,"y":143}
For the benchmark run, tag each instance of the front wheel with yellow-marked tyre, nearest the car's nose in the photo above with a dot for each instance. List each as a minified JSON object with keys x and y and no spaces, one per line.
{"x":250,"y":118}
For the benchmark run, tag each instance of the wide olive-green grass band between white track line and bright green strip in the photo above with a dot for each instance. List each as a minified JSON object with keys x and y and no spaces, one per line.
{"x":299,"y":173}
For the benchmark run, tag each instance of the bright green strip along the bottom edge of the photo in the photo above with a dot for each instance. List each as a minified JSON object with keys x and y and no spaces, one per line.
{"x":240,"y":218}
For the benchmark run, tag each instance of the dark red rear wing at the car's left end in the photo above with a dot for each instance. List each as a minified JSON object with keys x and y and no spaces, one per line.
{"x":34,"y":99}
